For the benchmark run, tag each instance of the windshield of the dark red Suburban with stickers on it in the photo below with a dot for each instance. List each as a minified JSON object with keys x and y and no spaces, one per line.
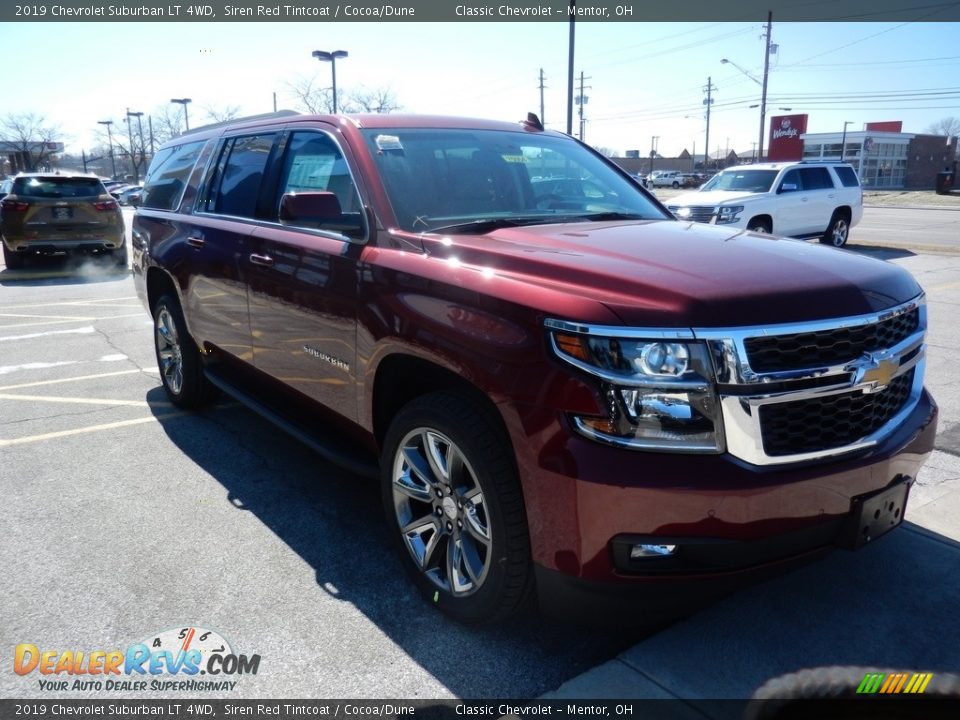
{"x":440,"y":179}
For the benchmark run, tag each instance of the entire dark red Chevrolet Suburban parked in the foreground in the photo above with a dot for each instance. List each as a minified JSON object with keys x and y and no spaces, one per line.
{"x":573,"y":394}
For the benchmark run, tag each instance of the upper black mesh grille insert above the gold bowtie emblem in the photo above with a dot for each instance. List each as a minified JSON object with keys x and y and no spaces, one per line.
{"x":828,"y":347}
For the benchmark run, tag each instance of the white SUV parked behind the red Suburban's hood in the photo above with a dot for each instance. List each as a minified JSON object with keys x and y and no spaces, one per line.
{"x":796,"y":199}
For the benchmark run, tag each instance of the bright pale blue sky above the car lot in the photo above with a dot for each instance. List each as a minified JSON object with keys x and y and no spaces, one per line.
{"x":644,"y":79}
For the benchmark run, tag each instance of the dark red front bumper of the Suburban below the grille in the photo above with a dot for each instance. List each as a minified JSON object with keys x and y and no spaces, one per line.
{"x":729,"y":519}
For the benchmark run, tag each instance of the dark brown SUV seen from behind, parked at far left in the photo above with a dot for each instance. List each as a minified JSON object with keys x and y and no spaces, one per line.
{"x":47,"y":213}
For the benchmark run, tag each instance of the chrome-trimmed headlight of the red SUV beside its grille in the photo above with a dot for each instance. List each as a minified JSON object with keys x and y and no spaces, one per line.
{"x":658,"y":392}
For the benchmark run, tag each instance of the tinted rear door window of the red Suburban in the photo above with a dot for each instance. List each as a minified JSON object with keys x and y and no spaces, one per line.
{"x":236,"y":184}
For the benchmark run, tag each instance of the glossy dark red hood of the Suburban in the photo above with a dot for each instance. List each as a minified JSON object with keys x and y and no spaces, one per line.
{"x":677,"y":274}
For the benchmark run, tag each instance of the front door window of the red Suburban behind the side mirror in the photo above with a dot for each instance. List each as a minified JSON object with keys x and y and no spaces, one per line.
{"x":314,"y":163}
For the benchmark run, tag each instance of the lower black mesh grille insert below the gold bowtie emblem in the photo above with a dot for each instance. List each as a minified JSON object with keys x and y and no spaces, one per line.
{"x":835,"y":421}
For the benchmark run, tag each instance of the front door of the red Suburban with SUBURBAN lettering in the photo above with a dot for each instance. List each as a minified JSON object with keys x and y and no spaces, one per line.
{"x":305,"y":274}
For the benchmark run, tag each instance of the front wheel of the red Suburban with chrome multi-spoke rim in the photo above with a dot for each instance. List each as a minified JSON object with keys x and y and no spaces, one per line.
{"x":454,"y":505}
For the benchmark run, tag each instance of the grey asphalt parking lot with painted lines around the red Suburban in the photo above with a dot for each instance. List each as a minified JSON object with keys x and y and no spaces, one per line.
{"x":125,"y":518}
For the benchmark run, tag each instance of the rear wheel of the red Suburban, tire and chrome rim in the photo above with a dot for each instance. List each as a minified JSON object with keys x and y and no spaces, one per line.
{"x":178,"y":357}
